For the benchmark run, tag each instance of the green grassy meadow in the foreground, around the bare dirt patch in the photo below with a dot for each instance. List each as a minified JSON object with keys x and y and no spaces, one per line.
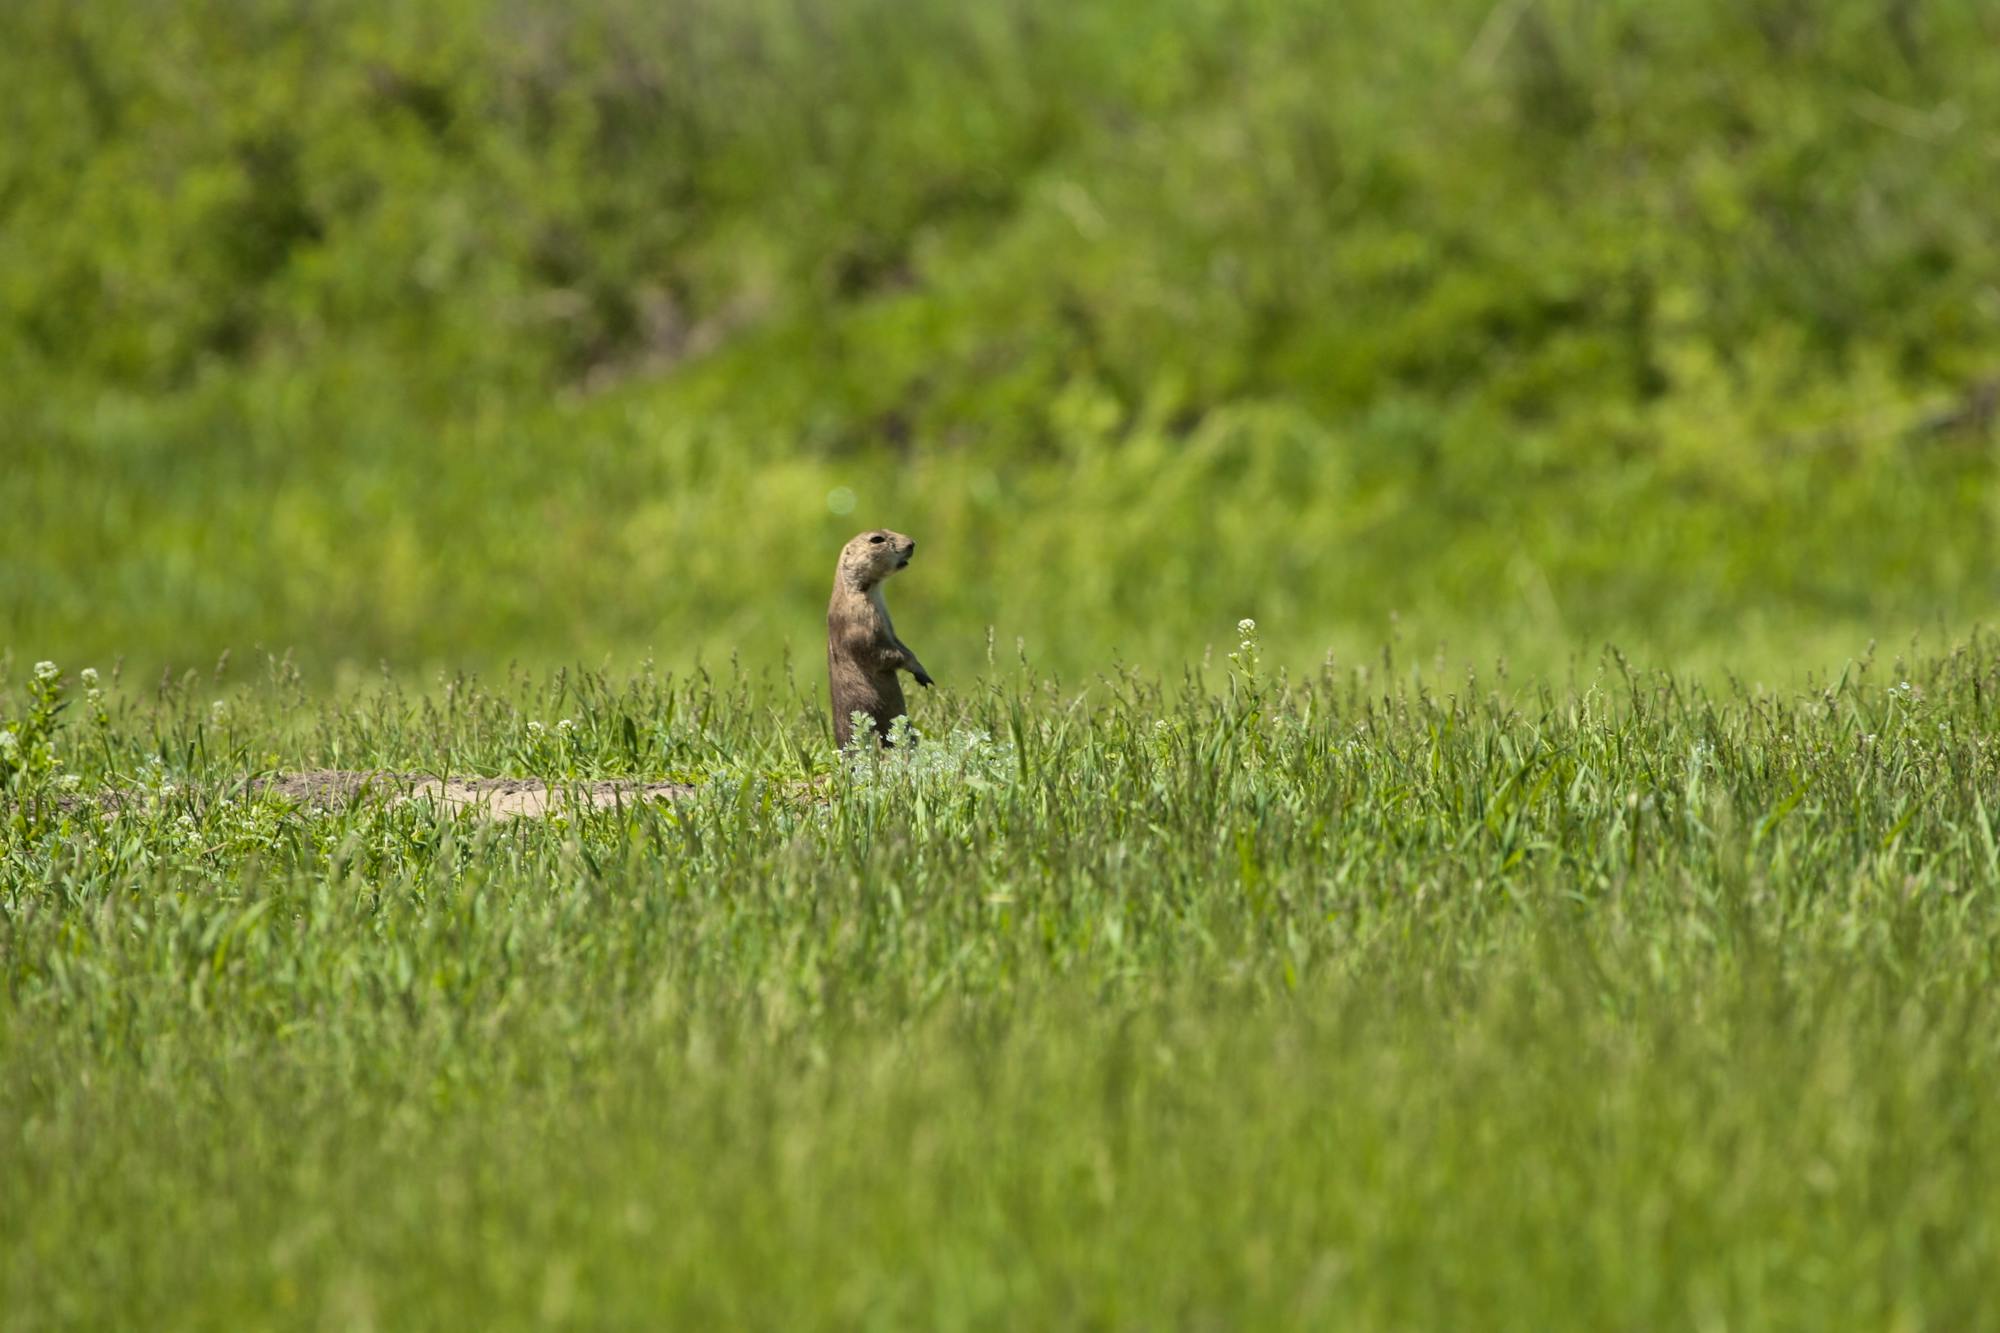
{"x":1367,"y":1000}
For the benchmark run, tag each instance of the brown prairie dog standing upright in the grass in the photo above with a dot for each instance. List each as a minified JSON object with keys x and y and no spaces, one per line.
{"x":863,"y":653}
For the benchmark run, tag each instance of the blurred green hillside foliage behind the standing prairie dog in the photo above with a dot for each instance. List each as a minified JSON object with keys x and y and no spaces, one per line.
{"x":483,"y":329}
